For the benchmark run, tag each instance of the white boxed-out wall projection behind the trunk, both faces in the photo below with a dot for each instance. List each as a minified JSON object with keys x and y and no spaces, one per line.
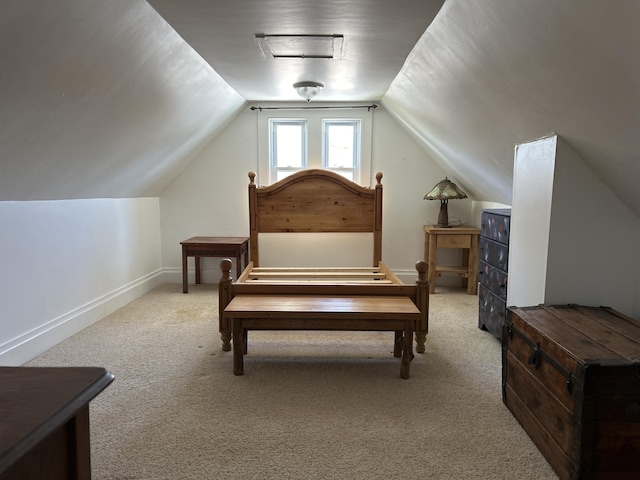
{"x":572,"y":240}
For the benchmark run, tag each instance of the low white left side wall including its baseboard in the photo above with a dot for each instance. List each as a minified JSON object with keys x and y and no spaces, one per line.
{"x":68,"y":263}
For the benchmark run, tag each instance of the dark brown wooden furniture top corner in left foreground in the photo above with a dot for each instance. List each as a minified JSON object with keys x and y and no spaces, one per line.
{"x":44,"y":421}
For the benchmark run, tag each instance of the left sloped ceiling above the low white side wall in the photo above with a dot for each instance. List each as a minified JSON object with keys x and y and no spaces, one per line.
{"x":100,"y":99}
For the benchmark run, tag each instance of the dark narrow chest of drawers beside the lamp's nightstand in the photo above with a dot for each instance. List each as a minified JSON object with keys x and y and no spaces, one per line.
{"x":493,"y":268}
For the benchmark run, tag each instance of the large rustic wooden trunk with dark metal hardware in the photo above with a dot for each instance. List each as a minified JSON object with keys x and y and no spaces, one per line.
{"x":571,"y":376}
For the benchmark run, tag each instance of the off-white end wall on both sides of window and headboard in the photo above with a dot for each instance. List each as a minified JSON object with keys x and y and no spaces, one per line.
{"x":210,"y":196}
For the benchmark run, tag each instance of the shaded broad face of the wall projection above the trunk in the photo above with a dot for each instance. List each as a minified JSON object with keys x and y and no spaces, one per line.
{"x":594,"y":239}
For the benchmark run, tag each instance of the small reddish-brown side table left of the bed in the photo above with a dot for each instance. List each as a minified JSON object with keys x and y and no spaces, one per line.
{"x":237,"y":247}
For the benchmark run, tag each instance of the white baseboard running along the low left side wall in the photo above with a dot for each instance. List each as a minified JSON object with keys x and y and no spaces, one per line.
{"x":31,"y":344}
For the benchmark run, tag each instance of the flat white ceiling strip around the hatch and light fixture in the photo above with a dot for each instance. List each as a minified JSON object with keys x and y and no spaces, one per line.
{"x":378,"y":36}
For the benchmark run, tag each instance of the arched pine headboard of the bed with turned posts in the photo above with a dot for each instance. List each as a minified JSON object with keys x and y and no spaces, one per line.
{"x":315,"y":200}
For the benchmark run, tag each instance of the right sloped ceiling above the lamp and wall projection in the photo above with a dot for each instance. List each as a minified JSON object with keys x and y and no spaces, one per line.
{"x":488,"y":75}
